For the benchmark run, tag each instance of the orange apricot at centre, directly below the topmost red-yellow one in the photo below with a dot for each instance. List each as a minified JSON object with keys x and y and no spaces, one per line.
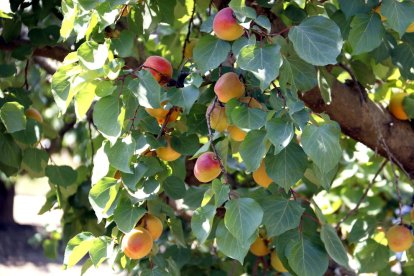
{"x":228,"y":86}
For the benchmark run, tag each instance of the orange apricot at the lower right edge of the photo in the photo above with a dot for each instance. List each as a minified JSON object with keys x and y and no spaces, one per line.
{"x":399,"y":238}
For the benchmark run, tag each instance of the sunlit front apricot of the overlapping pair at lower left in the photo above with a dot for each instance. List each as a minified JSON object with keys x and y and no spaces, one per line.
{"x":137,"y":244}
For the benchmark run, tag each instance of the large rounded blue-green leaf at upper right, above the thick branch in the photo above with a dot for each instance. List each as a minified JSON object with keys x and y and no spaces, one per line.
{"x":317,"y":40}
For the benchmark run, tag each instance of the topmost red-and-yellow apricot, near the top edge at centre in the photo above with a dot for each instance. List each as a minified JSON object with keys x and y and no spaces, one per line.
{"x":225,"y":25}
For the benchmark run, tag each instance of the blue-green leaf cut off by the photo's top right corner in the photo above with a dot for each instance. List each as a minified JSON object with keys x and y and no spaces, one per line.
{"x":399,"y":14}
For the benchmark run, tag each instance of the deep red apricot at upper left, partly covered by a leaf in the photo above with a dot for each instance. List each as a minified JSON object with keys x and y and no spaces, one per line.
{"x":159,"y":67}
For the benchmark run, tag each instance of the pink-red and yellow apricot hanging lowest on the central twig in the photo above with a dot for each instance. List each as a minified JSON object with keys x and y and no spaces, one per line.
{"x":207,"y":167}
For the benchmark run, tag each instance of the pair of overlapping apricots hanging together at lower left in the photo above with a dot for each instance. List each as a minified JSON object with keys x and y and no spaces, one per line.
{"x":138,"y":243}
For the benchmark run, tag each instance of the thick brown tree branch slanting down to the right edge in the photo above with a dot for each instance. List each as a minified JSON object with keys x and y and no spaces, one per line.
{"x":367,"y":123}
